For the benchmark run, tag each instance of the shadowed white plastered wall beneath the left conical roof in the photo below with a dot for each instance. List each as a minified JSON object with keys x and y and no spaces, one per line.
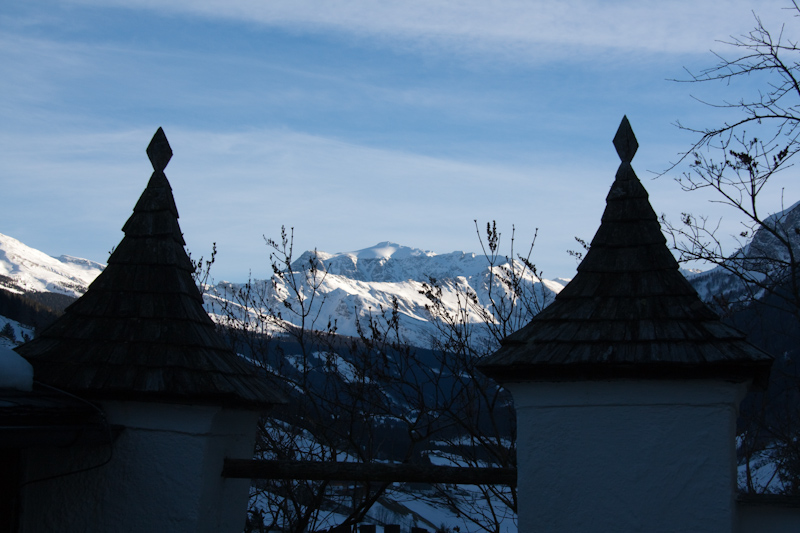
{"x":164,"y":475}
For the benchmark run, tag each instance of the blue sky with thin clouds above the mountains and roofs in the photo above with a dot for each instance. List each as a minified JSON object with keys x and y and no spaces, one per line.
{"x":352,"y":122}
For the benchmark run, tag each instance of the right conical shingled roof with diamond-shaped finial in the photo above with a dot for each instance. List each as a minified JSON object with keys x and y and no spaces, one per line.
{"x":629,"y":312}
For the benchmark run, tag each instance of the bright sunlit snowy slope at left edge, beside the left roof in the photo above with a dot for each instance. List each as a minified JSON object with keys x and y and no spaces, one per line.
{"x":24,"y":269}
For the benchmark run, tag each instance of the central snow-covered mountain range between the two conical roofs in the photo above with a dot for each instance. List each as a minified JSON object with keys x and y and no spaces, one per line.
{"x":347,"y":288}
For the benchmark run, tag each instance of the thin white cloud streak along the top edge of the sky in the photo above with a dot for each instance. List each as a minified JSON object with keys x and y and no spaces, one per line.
{"x":518,"y":30}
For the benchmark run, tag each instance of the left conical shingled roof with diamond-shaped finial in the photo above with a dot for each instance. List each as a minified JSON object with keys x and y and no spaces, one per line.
{"x":140,"y":331}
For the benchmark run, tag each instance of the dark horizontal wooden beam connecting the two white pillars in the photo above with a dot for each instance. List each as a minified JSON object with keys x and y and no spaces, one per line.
{"x":368,"y":472}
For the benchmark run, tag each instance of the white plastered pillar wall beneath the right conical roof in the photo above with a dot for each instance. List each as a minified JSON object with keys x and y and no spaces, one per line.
{"x":626,"y":456}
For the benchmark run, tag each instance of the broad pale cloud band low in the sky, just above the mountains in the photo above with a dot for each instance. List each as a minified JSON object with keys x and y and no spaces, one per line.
{"x":233,"y":188}
